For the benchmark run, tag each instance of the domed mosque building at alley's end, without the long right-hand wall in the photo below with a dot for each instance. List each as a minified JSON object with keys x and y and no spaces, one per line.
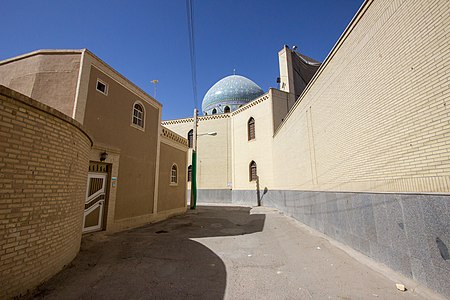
{"x":245,"y":119}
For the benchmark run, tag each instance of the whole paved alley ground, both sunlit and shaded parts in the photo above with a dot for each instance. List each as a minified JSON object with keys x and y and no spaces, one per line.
{"x":218,"y":252}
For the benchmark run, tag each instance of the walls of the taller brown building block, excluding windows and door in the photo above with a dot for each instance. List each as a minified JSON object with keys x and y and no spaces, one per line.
{"x":66,"y":80}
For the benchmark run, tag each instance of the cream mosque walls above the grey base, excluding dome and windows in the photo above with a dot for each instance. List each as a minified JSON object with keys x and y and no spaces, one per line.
{"x":373,"y":119}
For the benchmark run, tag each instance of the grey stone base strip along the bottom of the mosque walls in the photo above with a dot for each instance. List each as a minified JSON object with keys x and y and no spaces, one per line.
{"x":410,"y":233}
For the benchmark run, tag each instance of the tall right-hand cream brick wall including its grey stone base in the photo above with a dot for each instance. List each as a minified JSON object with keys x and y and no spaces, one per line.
{"x":364,"y":155}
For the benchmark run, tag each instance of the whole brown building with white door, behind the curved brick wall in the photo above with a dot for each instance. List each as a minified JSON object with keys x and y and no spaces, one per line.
{"x":124,"y":187}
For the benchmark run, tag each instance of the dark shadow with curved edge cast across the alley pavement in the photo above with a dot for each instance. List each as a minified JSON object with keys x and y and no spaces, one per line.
{"x":157,"y":261}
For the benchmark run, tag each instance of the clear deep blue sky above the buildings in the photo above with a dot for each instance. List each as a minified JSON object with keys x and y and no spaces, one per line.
{"x":147,"y":40}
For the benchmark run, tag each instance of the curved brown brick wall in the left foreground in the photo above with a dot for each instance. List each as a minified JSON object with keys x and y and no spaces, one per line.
{"x":43,"y":172}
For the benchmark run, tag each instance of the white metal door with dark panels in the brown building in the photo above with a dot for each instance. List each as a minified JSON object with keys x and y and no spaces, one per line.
{"x":95,"y":202}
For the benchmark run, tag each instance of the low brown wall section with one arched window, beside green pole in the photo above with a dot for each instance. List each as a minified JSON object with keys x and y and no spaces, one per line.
{"x":172,"y":196}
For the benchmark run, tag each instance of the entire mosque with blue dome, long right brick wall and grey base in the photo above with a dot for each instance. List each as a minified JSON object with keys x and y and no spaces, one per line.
{"x":357,"y":148}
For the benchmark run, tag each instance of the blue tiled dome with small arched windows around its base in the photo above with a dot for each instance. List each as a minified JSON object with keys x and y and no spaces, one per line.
{"x":232,"y":92}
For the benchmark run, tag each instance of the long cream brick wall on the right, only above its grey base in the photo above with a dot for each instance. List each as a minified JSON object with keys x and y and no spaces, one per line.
{"x":377,"y":118}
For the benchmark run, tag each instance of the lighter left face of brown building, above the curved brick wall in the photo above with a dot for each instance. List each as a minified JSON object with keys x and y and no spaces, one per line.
{"x":50,"y":78}
